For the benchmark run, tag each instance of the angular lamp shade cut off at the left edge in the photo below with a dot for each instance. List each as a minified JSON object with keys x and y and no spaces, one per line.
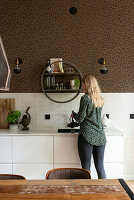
{"x":5,"y":72}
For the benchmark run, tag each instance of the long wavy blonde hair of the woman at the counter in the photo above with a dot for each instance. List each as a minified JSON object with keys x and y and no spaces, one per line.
{"x":93,"y":90}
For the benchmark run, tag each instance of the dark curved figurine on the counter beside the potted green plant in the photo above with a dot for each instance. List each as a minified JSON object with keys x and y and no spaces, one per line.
{"x":26,"y":120}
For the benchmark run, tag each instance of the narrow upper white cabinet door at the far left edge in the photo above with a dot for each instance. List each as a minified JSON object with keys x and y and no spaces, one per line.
{"x":5,"y":149}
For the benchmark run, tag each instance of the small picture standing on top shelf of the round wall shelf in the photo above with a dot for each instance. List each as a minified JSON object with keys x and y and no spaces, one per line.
{"x":56,"y":65}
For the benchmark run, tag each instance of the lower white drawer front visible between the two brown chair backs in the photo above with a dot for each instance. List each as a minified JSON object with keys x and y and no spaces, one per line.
{"x":32,"y":171}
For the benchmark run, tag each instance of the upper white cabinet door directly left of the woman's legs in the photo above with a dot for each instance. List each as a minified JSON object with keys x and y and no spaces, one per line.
{"x":65,"y":149}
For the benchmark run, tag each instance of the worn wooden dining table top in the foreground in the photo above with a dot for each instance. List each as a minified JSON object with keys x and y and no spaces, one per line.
{"x":71,"y":189}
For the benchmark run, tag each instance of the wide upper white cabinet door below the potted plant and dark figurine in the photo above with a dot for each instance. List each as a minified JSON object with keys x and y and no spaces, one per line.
{"x":32,"y":149}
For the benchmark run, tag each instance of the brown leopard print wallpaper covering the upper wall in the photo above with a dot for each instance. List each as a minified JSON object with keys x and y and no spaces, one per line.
{"x":36,"y":30}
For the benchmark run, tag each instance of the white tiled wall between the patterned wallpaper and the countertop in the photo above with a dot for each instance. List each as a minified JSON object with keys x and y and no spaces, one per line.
{"x":119,"y":106}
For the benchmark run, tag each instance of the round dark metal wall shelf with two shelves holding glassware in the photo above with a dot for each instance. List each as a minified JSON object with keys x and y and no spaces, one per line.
{"x":49,"y":81}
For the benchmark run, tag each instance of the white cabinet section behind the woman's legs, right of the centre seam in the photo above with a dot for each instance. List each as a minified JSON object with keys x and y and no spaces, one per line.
{"x":66,"y":155}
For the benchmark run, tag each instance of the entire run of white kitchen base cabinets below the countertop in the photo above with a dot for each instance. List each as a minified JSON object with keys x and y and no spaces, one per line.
{"x":33,"y":155}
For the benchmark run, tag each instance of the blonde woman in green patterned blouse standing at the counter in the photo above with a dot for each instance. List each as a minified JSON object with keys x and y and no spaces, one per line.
{"x":91,"y":139}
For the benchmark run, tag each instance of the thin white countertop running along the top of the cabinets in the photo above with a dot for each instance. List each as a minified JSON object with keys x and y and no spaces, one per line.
{"x":111,"y":131}
